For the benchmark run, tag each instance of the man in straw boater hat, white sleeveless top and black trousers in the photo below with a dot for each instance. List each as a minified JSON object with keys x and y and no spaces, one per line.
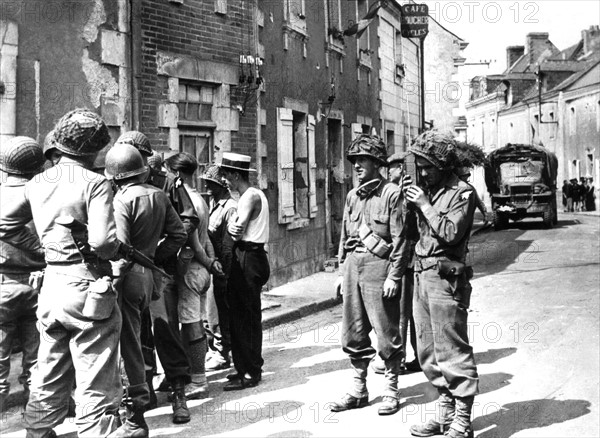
{"x":249,"y":272}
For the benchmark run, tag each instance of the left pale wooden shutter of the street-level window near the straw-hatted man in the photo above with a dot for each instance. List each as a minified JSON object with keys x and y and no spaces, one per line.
{"x":285,"y":164}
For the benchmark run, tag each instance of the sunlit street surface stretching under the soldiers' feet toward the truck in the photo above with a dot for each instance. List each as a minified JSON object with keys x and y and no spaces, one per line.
{"x":534,"y":327}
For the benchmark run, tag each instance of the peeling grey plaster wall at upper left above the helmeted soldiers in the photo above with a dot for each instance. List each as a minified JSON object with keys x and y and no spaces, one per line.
{"x":60,"y":64}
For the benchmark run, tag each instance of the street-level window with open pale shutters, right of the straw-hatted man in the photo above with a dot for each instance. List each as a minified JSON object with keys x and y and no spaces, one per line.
{"x":297,"y":167}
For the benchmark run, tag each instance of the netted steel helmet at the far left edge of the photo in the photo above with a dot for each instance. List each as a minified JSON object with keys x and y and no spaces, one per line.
{"x":21,"y":156}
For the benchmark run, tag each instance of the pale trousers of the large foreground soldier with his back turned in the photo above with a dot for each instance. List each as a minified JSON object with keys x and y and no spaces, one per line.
{"x":73,"y":347}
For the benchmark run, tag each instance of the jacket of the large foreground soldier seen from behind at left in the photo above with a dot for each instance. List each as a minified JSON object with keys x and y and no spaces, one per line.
{"x":65,"y":189}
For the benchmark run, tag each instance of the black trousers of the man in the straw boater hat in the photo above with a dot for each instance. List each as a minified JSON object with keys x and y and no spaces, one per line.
{"x":249,"y":272}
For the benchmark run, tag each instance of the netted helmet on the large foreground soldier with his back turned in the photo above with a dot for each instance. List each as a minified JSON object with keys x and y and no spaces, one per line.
{"x":80,"y":133}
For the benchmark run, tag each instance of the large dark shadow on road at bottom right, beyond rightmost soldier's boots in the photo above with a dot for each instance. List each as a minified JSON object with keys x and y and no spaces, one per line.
{"x":508,"y":419}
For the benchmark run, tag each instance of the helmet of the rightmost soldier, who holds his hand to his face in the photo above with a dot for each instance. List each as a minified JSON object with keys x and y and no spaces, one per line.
{"x":436,"y":147}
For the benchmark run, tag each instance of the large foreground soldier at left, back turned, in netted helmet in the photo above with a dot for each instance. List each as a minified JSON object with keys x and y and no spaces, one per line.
{"x":79,"y":319}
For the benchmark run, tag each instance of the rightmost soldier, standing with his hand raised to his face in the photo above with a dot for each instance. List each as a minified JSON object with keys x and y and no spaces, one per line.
{"x":442,"y":290}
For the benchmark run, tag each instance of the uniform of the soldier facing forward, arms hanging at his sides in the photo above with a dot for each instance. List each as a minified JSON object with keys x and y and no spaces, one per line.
{"x":375,"y":203}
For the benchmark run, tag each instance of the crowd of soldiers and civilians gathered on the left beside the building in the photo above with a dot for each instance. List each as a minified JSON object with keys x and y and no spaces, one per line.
{"x":113,"y":265}
